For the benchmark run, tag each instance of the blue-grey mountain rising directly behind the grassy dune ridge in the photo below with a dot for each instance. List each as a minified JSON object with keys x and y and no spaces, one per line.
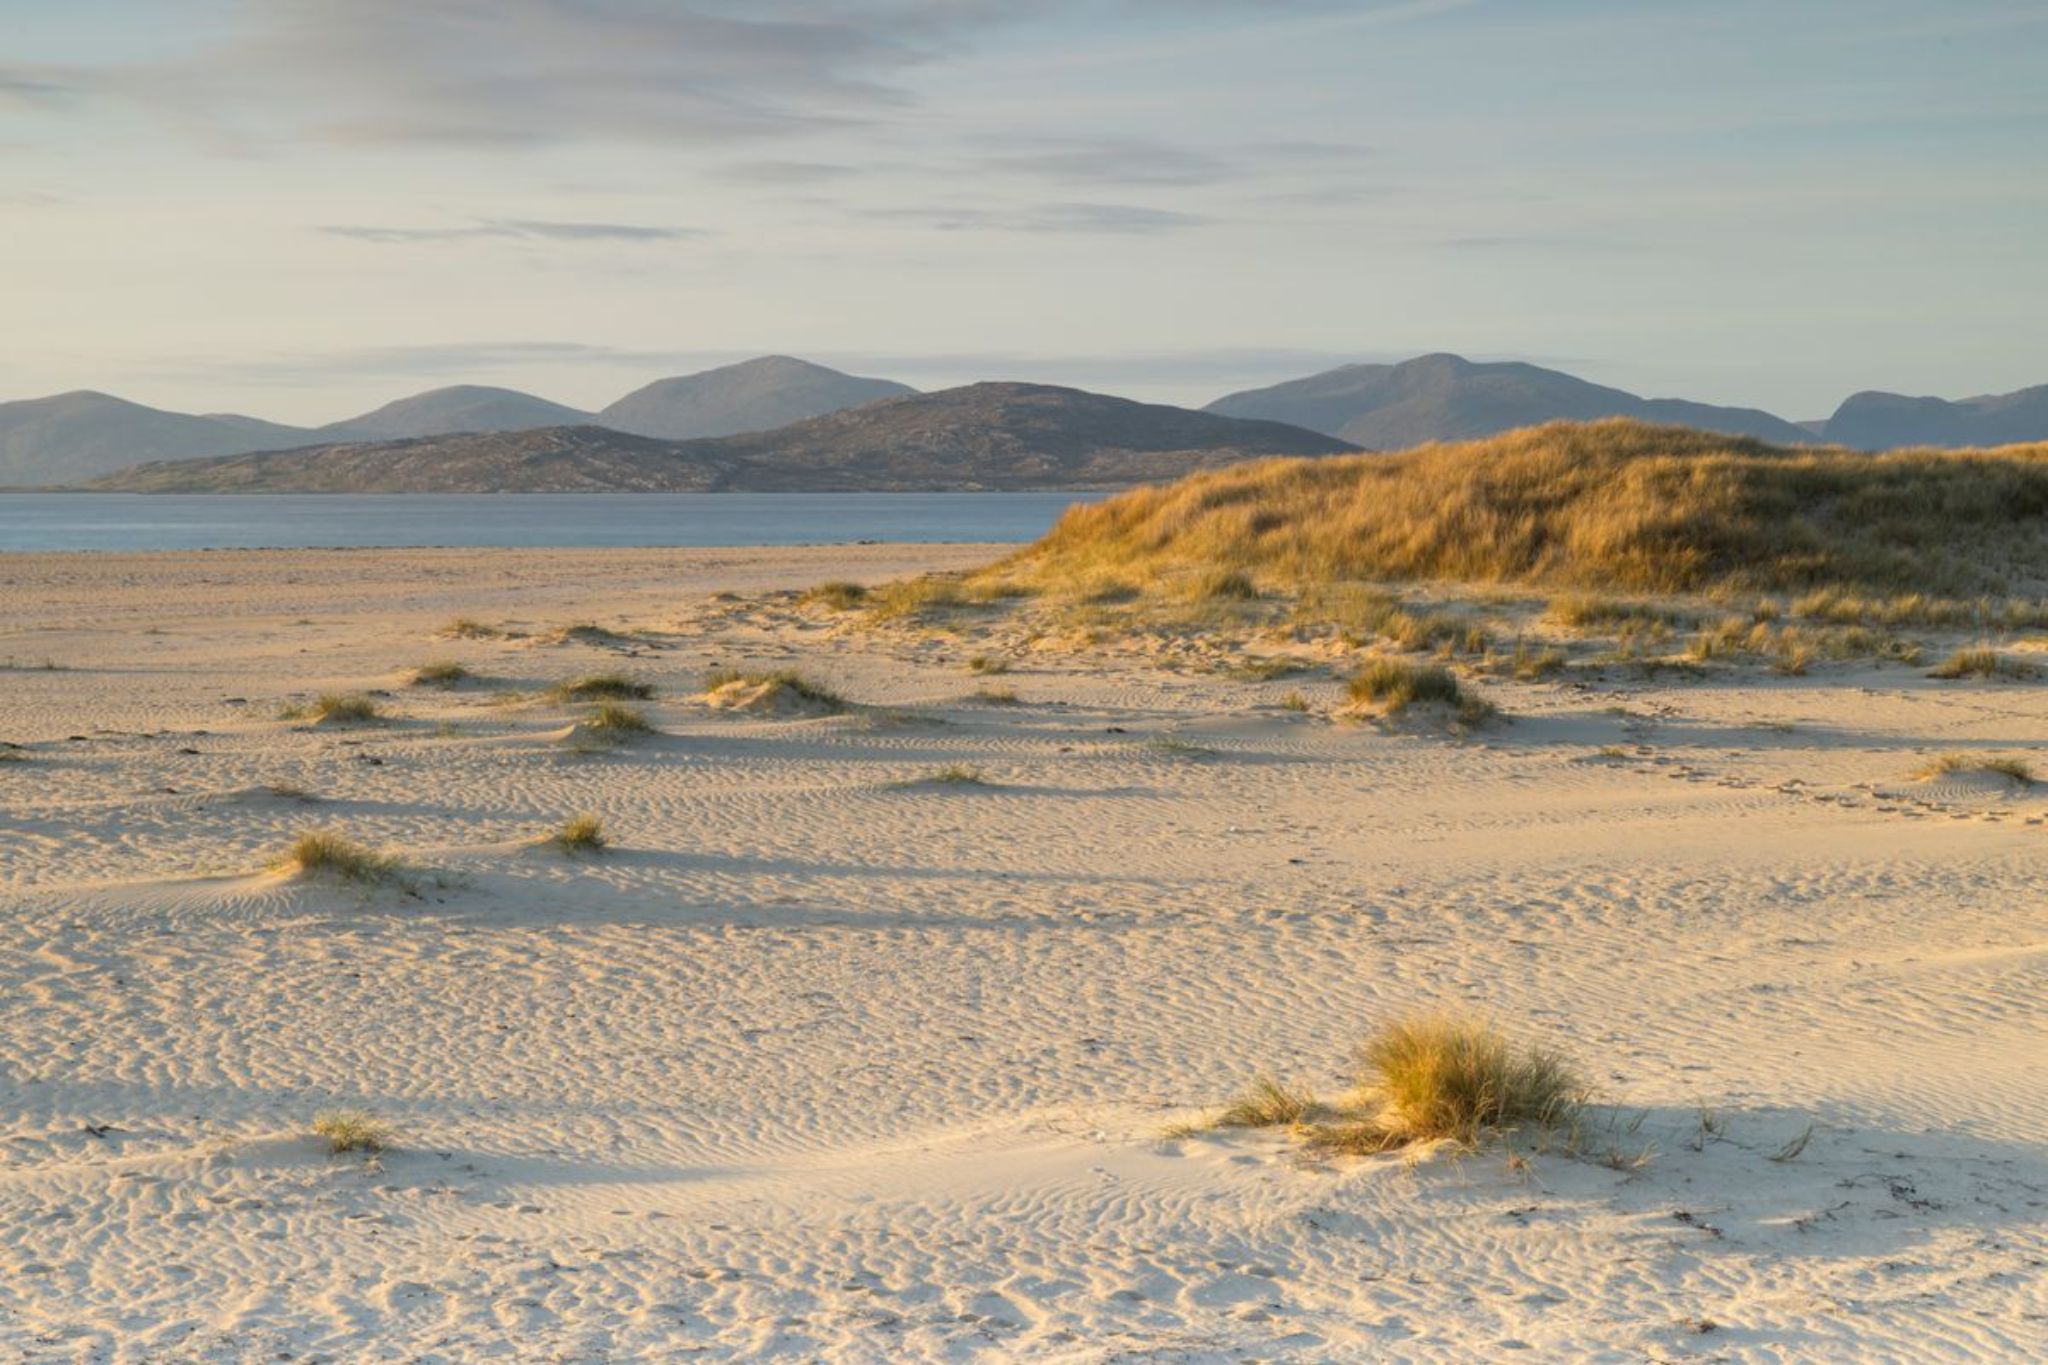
{"x":1449,"y":398}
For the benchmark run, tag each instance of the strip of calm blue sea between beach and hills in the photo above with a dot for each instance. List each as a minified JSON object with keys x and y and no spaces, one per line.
{"x":296,"y":521}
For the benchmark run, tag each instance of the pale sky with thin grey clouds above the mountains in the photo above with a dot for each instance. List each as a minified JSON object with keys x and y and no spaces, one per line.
{"x":306,"y":208}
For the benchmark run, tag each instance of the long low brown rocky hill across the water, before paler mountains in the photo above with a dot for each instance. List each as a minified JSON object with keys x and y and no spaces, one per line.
{"x":982,"y":437}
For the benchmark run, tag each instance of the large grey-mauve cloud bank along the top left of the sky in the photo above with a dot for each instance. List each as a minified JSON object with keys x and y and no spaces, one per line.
{"x":527,"y":73}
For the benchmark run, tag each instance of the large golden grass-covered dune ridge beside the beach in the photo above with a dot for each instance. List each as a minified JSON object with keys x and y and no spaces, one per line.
{"x":1603,"y":504}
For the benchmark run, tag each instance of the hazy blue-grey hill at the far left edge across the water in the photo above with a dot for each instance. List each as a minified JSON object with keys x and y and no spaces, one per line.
{"x":77,"y":437}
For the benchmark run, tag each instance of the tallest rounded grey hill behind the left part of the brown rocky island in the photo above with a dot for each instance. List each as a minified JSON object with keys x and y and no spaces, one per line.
{"x":755,"y":396}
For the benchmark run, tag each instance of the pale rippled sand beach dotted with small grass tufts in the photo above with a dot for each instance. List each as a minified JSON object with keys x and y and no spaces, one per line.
{"x":830,"y":1061}
